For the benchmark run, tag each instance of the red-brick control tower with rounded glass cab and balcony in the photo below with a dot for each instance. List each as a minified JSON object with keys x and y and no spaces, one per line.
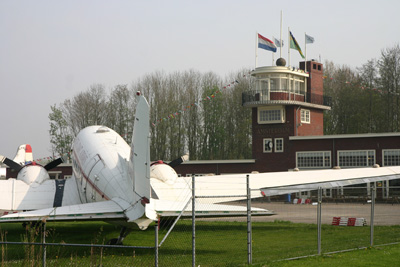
{"x":285,"y":102}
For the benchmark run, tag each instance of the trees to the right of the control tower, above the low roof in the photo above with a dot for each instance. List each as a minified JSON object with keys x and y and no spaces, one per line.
{"x":364,"y":100}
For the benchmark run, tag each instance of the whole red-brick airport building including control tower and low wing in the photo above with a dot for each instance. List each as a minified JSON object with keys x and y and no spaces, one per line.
{"x":287,"y":128}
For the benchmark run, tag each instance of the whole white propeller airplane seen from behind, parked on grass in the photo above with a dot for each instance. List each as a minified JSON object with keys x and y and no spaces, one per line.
{"x":115,"y":182}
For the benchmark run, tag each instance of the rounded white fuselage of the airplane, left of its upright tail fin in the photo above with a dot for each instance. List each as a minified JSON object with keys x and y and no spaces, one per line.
{"x":100,"y":165}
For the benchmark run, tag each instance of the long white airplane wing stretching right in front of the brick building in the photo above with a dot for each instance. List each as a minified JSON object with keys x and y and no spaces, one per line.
{"x":272,"y":183}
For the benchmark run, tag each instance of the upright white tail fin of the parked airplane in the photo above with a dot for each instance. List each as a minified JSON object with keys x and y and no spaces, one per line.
{"x":140,"y":152}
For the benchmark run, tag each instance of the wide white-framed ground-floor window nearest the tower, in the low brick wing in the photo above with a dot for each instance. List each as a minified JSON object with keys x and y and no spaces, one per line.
{"x":313,"y":159}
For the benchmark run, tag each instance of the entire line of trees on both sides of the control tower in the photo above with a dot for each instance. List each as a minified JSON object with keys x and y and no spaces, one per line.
{"x":196,"y":113}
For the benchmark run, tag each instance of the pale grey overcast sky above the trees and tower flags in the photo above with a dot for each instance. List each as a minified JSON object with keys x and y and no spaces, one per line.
{"x":52,"y":50}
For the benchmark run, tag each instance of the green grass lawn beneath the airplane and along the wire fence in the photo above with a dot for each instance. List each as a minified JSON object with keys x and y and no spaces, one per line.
{"x":217,"y":244}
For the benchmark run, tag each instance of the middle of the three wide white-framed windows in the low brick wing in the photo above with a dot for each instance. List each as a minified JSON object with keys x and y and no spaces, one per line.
{"x":356,"y":158}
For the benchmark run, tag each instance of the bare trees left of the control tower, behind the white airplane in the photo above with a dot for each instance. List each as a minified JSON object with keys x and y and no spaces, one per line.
{"x":190,"y":112}
